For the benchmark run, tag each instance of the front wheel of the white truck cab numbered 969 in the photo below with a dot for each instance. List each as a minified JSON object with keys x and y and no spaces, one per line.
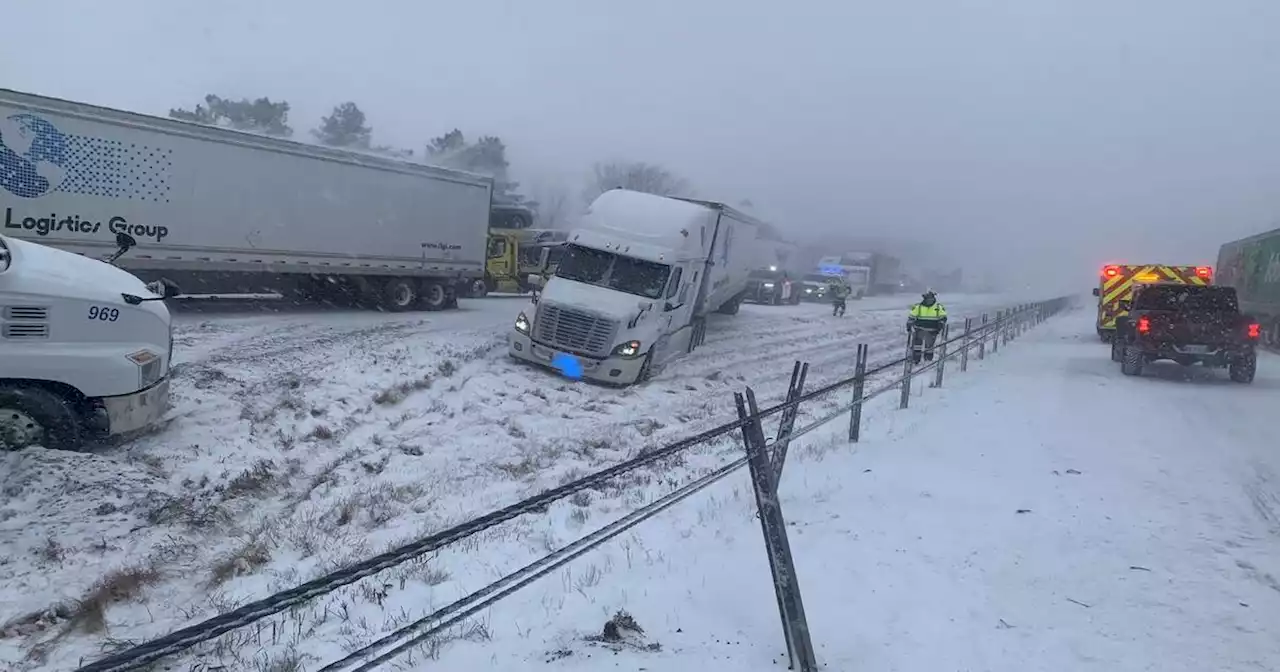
{"x":34,"y":417}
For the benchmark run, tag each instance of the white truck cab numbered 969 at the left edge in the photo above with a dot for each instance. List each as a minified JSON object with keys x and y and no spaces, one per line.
{"x":85,"y":349}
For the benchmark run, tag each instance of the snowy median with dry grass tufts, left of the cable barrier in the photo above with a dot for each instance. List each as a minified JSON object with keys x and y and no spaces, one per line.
{"x":301,"y":442}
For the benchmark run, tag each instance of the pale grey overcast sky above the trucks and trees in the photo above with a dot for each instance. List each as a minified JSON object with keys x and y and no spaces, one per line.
{"x":1037,"y":135}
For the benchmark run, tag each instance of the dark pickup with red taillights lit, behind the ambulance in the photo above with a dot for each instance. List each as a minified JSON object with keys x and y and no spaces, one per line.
{"x":1188,"y":324}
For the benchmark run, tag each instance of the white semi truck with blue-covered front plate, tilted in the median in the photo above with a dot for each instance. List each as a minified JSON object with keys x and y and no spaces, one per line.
{"x":636,"y":285}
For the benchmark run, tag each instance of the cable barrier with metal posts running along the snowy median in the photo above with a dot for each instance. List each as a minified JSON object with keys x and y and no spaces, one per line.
{"x":765,"y":459}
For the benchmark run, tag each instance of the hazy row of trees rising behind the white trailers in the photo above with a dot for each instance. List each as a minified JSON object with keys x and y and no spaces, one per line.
{"x":348,"y":127}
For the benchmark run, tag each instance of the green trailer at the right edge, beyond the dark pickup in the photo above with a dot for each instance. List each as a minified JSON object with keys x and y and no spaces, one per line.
{"x":1252,"y":267}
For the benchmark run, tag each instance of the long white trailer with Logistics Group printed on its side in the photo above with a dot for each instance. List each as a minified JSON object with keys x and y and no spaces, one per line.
{"x":223,"y":212}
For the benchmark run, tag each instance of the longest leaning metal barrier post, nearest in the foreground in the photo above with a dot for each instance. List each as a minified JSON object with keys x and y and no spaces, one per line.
{"x":796,"y":627}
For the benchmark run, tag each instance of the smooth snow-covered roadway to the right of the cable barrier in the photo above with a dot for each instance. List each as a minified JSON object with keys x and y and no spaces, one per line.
{"x":1043,"y":513}
